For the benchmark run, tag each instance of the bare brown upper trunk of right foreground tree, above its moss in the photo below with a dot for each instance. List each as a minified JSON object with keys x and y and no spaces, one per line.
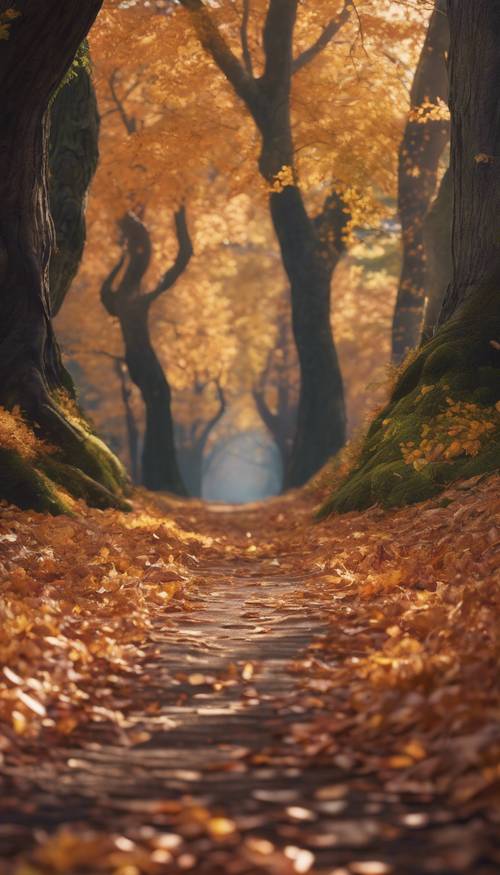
{"x":475,"y":149}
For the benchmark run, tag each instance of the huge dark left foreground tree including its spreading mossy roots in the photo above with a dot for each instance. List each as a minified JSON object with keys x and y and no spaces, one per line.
{"x":42,"y":40}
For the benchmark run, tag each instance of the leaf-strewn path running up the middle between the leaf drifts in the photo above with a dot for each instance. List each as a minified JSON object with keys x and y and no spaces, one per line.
{"x":211,"y":766}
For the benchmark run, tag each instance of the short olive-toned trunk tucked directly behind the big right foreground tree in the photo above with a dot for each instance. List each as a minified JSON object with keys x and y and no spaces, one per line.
{"x":437,"y":237}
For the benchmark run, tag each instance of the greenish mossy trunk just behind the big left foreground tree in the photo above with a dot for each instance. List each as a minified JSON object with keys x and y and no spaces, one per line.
{"x":73,"y":156}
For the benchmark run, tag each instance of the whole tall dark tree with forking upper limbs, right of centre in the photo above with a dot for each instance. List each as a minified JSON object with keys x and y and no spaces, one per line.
{"x":310,"y":246}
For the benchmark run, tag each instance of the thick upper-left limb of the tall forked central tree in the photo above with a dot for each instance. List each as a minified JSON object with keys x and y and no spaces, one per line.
{"x":216,"y":46}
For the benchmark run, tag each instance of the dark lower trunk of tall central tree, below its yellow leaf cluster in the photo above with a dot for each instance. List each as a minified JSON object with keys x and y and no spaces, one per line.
{"x":320,"y":428}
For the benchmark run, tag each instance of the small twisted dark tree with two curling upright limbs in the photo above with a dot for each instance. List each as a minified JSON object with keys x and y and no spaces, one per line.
{"x":123,"y":297}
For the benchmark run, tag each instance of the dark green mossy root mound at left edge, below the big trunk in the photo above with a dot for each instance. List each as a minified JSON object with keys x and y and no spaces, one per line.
{"x":22,"y":484}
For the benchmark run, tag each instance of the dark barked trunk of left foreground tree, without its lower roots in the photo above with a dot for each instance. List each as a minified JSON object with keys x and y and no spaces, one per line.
{"x":48,"y":34}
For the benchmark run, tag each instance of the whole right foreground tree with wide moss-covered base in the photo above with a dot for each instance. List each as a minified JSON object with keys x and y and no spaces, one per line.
{"x":461,"y":363}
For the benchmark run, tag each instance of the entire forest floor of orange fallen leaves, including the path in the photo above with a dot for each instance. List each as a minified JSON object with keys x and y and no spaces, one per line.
{"x":214,"y":690}
